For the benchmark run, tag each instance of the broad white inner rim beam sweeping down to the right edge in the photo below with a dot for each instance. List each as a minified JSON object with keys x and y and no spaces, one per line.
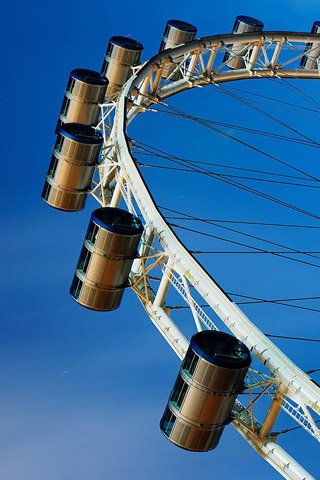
{"x":300,"y":387}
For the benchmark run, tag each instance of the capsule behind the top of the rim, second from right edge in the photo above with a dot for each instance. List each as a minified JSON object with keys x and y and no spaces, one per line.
{"x":235,"y":53}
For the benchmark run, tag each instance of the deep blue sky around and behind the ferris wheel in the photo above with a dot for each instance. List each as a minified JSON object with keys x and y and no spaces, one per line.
{"x":82,"y":392}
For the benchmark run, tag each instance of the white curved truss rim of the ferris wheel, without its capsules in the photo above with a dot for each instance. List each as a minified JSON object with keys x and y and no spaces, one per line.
{"x":199,"y":63}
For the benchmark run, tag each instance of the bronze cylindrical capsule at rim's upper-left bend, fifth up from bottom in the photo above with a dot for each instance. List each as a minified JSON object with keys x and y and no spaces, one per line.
{"x":122,"y":54}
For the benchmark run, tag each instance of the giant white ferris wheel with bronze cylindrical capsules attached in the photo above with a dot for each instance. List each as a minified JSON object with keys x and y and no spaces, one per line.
{"x":129,"y":247}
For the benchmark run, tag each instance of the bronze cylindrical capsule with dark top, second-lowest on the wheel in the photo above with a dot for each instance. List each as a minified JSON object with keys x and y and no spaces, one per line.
{"x":105,"y":261}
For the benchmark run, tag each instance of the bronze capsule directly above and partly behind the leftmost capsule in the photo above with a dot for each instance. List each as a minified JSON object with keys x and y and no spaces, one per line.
{"x":86,"y":89}
